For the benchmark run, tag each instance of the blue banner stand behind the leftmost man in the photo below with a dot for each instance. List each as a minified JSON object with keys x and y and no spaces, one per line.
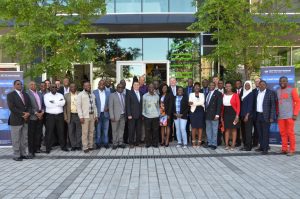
{"x":7,"y":79}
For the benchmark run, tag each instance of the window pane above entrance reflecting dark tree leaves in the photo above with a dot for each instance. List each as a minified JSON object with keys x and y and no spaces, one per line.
{"x":131,"y":48}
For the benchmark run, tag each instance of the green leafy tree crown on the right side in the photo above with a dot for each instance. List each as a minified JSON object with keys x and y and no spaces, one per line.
{"x":244,"y":32}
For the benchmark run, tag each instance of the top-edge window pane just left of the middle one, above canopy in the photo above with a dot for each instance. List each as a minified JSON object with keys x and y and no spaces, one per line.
{"x":128,"y":6}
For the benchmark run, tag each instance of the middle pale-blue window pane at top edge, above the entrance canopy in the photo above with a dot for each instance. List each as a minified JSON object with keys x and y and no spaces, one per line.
{"x":155,"y":5}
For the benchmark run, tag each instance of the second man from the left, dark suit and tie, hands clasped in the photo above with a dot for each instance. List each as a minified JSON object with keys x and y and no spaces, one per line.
{"x":36,"y":119}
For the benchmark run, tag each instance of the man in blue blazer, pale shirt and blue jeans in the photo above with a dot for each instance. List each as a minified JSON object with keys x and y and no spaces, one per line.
{"x":102,"y":97}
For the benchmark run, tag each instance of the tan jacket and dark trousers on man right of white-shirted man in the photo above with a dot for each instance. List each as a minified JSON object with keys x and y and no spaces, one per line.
{"x":73,"y":121}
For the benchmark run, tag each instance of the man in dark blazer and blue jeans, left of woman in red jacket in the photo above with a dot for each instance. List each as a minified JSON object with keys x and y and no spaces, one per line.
{"x":213,"y":104}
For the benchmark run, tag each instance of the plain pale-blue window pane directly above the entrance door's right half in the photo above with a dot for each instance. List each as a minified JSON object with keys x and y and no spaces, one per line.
{"x":155,"y":48}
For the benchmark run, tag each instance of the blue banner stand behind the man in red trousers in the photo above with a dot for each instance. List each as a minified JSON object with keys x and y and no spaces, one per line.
{"x":271,"y":75}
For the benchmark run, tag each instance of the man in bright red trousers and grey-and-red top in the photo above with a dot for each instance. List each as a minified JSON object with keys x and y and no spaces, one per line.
{"x":288,"y":106}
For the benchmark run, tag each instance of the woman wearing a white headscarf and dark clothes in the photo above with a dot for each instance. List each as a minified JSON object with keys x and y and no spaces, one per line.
{"x":247,"y":115}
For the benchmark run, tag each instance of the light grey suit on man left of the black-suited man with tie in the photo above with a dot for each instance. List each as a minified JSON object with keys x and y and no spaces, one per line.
{"x":117,"y":116}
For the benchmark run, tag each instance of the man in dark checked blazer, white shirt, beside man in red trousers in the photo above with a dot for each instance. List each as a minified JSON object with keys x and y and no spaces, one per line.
{"x":265,"y":115}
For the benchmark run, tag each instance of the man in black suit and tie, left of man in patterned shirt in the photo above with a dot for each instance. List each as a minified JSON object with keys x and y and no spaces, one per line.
{"x":134,"y":102}
